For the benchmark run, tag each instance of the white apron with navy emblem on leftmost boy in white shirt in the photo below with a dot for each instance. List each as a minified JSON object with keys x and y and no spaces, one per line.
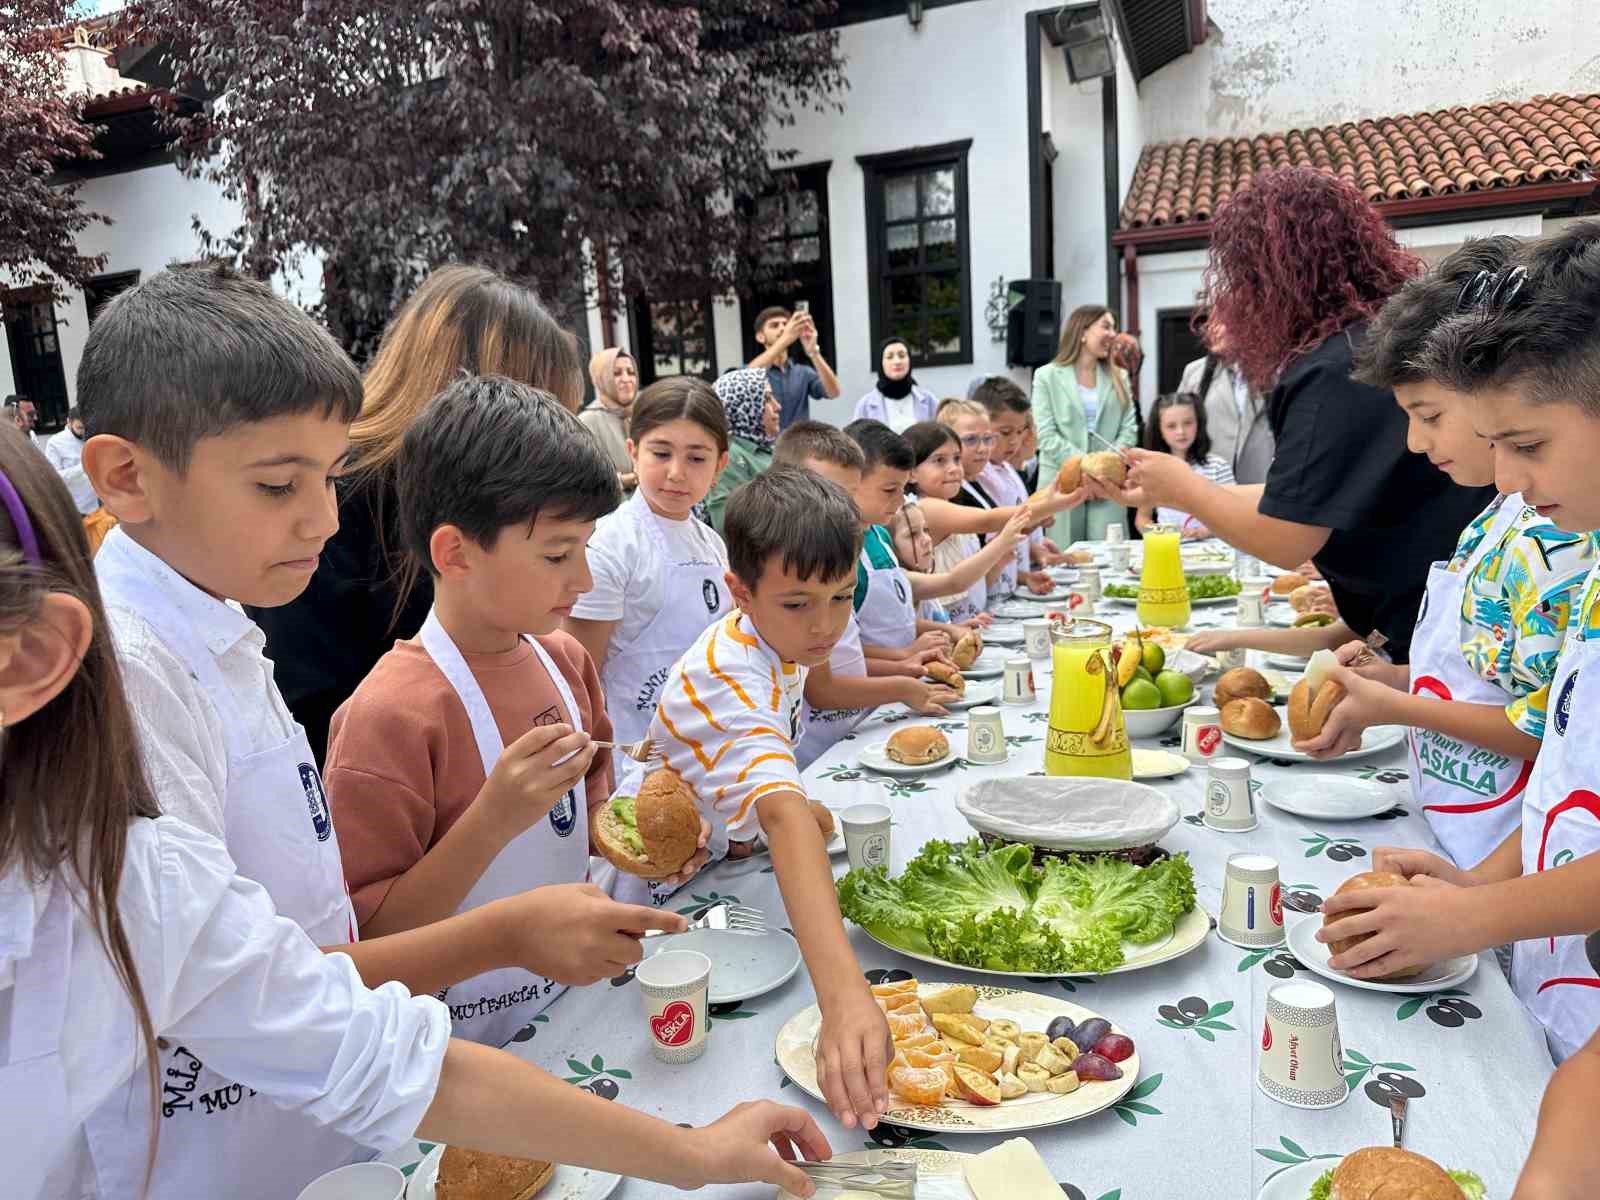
{"x":222,"y":1138}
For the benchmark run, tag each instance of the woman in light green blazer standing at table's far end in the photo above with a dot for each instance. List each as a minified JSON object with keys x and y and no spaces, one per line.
{"x":1081,"y":382}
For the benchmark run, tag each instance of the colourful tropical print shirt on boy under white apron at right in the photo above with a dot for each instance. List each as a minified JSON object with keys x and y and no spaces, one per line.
{"x":1518,"y":604}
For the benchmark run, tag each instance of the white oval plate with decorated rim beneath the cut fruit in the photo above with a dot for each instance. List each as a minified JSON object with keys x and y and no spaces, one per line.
{"x":1033,"y":1012}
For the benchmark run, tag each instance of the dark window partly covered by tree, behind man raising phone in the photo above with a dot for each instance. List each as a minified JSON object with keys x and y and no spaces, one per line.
{"x":796,"y":262}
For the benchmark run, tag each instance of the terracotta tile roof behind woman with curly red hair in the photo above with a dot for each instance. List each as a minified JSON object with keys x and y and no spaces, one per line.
{"x":1463,"y":150}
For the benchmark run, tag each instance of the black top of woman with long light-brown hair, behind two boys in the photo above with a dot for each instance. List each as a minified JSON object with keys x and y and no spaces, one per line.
{"x":327,"y":641}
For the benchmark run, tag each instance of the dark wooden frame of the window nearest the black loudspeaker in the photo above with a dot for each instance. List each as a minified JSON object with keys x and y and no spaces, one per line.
{"x":882,"y":167}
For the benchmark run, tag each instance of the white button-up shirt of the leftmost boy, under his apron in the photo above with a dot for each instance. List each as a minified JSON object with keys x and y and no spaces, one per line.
{"x":180,"y":727}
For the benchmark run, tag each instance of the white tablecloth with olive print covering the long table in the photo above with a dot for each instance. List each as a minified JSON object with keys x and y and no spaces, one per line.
{"x":1196,"y":1126}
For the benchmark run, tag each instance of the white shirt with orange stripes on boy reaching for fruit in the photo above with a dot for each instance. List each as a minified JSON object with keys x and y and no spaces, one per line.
{"x":729,"y":721}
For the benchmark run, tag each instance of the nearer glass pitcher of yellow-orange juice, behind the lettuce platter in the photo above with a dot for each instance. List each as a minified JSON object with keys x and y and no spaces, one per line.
{"x":1087,"y":735}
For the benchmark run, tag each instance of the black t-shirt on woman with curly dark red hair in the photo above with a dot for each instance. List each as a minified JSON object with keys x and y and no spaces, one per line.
{"x":1342,"y":463}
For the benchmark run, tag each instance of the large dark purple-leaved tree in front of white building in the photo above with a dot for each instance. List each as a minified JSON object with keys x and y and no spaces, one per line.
{"x":542,"y":138}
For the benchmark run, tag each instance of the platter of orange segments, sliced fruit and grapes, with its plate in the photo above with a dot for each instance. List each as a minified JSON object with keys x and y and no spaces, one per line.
{"x":983,"y":1060}
